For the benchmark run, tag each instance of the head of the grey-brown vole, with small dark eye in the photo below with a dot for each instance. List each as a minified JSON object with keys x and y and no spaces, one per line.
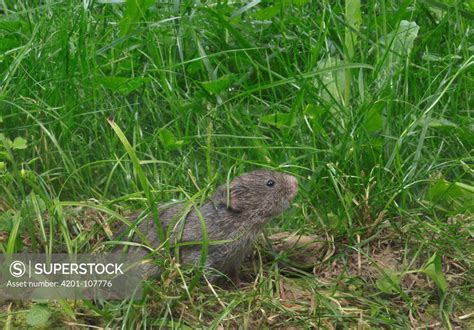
{"x":259,"y":195}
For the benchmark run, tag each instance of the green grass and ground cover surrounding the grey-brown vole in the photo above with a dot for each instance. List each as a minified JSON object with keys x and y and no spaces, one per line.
{"x":368,"y":104}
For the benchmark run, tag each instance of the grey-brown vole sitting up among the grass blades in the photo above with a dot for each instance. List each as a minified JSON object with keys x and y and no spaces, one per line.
{"x":236,"y":213}
